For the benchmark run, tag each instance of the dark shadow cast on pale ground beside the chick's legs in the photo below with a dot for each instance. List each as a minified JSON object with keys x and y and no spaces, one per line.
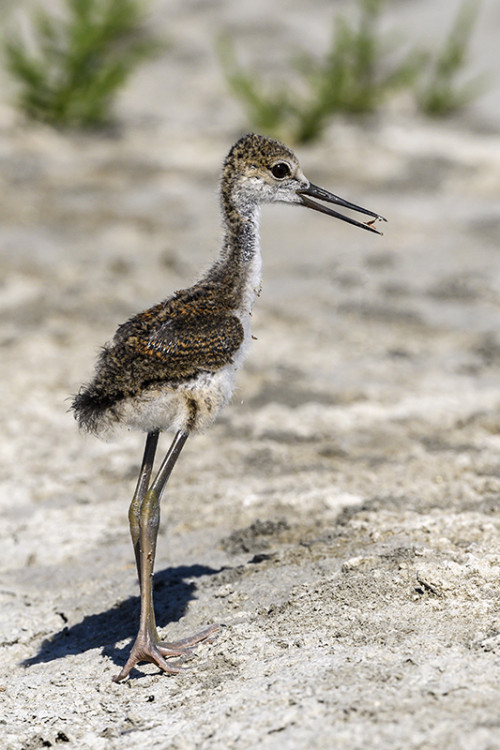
{"x":172,"y":596}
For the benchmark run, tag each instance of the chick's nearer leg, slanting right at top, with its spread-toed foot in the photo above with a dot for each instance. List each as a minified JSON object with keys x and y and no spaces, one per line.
{"x":147,"y":646}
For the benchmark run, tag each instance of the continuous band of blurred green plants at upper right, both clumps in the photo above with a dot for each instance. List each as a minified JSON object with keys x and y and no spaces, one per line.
{"x":360,"y":71}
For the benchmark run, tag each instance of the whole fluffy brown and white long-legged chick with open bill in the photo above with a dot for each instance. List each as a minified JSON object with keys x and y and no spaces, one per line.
{"x":174,"y":365}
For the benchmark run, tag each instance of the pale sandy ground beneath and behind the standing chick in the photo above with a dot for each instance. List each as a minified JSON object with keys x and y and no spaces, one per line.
{"x":341,"y":520}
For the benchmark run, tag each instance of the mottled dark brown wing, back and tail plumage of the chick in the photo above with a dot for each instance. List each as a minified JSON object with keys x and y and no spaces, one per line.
{"x":192,"y":332}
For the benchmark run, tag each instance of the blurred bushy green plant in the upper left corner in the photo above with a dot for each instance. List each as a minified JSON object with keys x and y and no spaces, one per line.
{"x":78,"y":63}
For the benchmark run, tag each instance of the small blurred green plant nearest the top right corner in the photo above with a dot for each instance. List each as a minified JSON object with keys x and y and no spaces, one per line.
{"x":442,"y":95}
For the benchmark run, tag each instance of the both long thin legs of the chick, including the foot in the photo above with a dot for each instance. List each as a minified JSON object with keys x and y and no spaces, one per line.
{"x":144,"y":516}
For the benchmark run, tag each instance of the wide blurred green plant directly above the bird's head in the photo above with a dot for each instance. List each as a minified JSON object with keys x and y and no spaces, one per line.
{"x":355,"y":77}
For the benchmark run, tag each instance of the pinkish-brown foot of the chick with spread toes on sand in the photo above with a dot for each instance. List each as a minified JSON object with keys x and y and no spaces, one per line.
{"x":148,"y":647}
